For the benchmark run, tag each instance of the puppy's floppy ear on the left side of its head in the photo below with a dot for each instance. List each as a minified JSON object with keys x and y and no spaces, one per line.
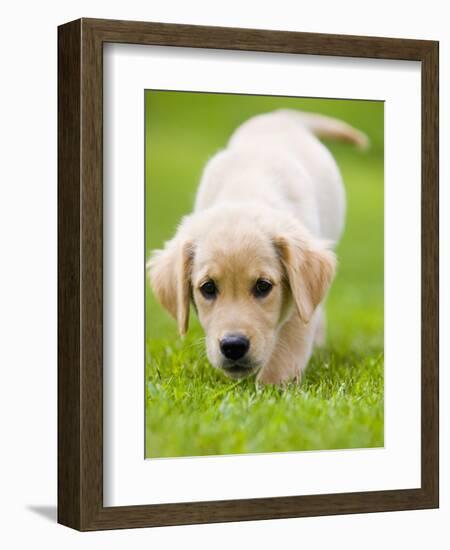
{"x":170,"y":277}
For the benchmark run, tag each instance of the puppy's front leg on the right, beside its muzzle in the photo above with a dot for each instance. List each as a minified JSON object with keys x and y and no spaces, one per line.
{"x":291,"y":353}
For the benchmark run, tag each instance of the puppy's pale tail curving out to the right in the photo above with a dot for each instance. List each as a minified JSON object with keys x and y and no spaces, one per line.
{"x":329,"y":128}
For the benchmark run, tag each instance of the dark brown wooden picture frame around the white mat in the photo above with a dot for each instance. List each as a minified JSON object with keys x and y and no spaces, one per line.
{"x":80,"y":271}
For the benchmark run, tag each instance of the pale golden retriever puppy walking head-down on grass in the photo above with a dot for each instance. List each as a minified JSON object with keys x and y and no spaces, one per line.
{"x":255,"y":257}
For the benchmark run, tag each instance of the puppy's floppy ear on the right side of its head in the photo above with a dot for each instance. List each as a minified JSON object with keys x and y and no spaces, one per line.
{"x":310,"y":267}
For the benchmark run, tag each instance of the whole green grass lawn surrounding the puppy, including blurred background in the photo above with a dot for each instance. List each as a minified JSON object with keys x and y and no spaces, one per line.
{"x":191,"y":409}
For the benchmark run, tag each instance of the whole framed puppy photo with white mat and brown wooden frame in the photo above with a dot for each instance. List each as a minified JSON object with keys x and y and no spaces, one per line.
{"x":248,"y":274}
